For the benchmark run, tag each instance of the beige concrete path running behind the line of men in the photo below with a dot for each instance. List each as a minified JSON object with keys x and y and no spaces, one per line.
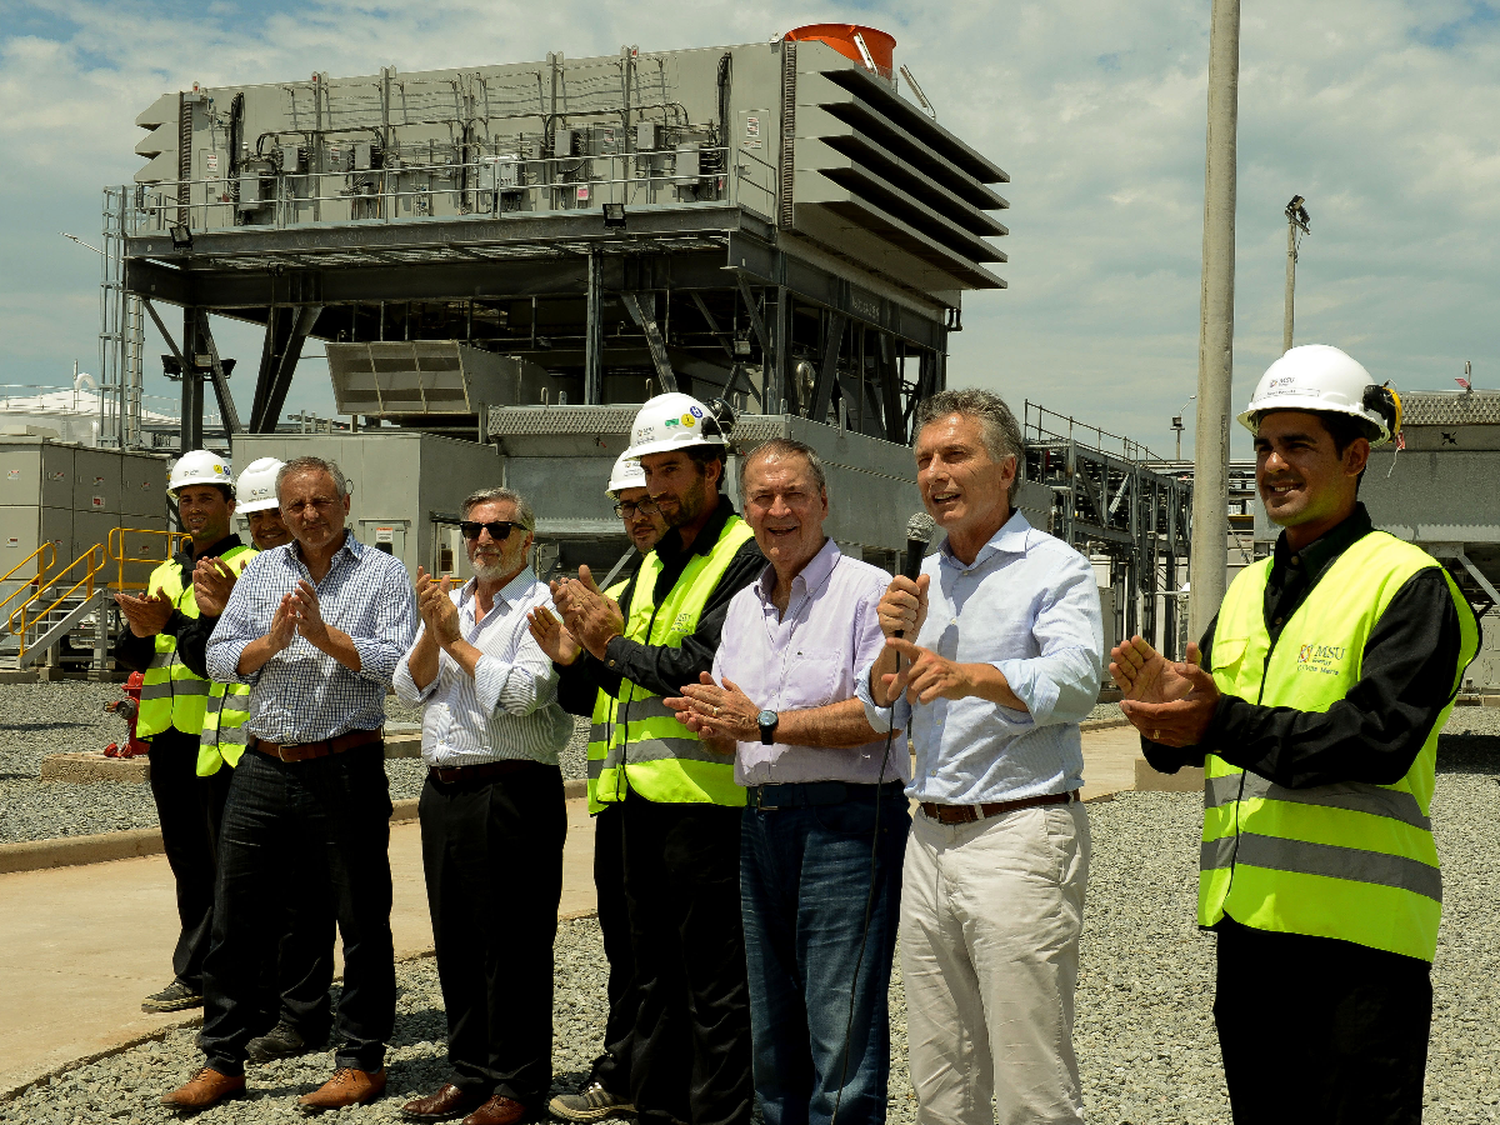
{"x":86,"y":943}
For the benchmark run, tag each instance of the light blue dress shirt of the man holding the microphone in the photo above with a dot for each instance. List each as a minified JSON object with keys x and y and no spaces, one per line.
{"x":1028,"y":605}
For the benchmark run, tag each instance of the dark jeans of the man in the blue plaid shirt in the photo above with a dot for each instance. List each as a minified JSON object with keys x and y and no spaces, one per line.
{"x":314,"y":829}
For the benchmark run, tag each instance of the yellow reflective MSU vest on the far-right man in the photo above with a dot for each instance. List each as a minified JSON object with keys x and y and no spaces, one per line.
{"x":1352,"y":860}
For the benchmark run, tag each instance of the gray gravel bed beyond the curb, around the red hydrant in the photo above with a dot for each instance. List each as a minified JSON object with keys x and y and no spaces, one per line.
{"x":32,"y":809}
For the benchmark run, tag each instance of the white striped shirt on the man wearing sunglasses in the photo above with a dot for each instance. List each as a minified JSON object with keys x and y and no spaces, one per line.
{"x":508,"y":709}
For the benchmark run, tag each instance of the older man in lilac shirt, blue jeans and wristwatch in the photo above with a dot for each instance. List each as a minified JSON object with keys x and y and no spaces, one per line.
{"x":826,"y":821}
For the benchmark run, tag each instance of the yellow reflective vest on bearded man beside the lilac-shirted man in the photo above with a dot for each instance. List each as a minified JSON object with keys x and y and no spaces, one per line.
{"x":650,"y":752}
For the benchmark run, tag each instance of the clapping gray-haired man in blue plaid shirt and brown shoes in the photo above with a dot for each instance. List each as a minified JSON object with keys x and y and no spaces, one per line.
{"x":316,"y":628}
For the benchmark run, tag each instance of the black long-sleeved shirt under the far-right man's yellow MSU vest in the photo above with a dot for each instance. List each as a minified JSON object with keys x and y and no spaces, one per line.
{"x":1375,"y":733}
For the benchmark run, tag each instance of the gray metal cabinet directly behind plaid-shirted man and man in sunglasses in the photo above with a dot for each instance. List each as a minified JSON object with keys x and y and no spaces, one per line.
{"x":407,"y":487}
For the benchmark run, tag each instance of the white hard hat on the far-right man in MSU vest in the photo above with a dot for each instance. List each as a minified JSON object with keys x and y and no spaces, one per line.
{"x":1316,"y":377}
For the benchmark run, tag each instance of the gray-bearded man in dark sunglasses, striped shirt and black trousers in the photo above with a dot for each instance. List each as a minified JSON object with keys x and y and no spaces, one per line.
{"x":493,"y":815}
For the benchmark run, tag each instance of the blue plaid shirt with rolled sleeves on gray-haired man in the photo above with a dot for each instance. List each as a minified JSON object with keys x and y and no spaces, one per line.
{"x":304,"y":695}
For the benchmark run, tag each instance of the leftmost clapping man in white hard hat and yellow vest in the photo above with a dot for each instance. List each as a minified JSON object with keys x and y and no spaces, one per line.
{"x":173,"y":704}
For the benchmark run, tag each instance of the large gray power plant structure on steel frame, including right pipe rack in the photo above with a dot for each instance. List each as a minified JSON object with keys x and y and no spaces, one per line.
{"x":505,"y":262}
